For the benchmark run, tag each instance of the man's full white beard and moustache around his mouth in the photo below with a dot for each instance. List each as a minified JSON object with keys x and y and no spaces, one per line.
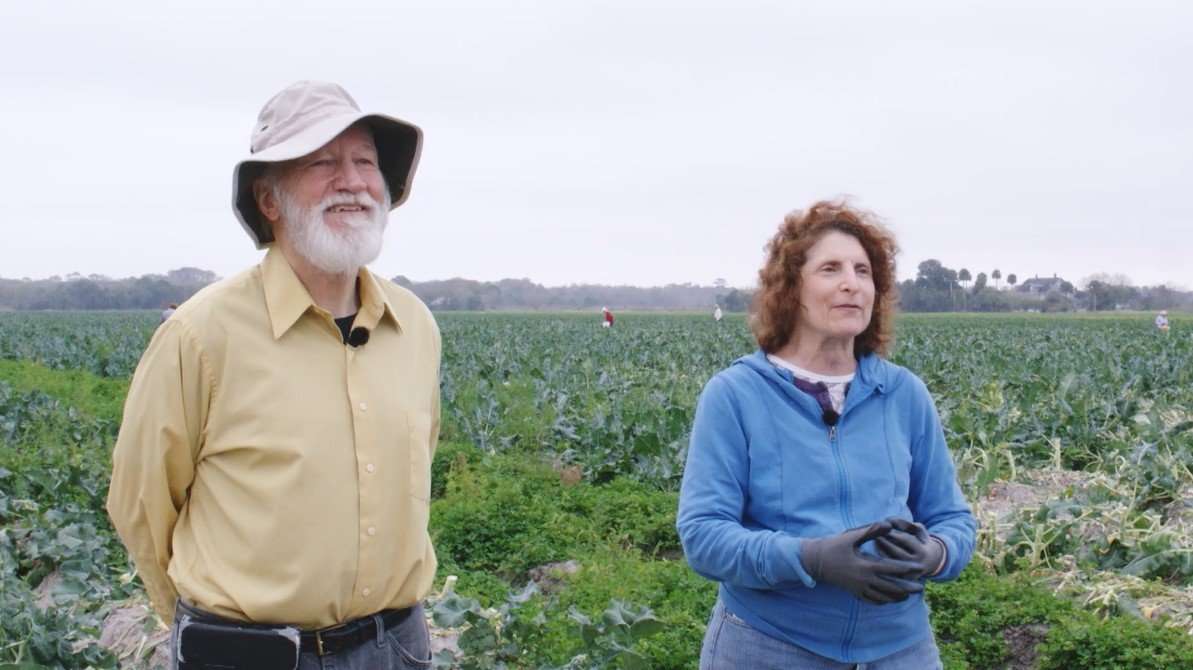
{"x":330,"y":251}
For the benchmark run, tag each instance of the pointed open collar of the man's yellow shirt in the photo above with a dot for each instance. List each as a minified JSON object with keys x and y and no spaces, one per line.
{"x":287,"y":300}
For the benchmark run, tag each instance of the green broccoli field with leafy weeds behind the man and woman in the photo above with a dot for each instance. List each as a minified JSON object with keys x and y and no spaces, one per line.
{"x":557,"y":482}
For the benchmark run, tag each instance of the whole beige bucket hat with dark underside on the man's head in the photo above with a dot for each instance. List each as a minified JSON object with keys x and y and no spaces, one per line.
{"x":304,"y":117}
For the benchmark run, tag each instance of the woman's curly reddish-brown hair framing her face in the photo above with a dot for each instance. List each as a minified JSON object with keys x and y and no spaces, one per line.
{"x":776,"y":306}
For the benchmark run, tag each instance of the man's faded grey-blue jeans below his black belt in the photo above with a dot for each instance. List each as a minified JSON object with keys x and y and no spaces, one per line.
{"x":404,"y":648}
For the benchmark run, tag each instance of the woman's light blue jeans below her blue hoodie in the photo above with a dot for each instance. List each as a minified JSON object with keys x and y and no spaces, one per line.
{"x":732,"y":644}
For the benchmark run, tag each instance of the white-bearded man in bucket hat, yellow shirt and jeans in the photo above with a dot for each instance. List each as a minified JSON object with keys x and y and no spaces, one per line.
{"x":273,"y":475}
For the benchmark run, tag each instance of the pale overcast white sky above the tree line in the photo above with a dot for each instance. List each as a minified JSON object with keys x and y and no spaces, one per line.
{"x":634,"y":142}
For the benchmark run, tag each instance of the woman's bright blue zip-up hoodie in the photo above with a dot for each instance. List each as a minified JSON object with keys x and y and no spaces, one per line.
{"x":764,"y":472}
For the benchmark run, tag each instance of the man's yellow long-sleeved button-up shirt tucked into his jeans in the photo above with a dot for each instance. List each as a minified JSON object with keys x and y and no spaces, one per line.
{"x":267,"y":472}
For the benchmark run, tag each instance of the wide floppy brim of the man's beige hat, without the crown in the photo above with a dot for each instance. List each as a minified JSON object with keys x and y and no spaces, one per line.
{"x":399,"y":147}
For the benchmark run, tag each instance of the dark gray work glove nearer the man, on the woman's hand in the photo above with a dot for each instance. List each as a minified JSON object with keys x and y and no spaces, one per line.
{"x":838,"y":561}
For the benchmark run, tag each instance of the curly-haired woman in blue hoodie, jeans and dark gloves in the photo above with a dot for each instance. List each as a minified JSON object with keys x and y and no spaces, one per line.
{"x":819,"y":491}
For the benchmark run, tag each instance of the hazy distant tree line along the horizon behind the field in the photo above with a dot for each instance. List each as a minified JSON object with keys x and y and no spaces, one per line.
{"x":936,"y":288}
